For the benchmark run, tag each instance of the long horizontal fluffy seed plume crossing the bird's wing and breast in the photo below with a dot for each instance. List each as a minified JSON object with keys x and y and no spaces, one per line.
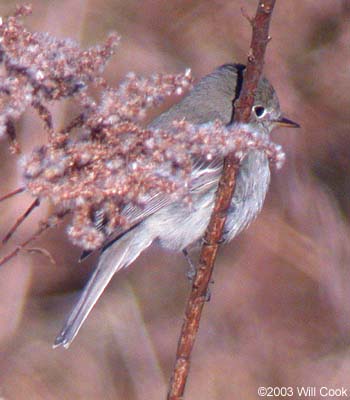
{"x":97,"y":177}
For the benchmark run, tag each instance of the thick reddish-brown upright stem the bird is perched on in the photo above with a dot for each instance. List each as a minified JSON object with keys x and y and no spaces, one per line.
{"x":225,"y":191}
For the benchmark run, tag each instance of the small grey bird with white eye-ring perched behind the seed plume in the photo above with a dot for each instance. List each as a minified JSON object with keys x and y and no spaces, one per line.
{"x":175,"y":225}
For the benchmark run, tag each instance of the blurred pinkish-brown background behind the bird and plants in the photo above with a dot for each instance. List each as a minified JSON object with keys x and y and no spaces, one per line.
{"x":280,"y":308}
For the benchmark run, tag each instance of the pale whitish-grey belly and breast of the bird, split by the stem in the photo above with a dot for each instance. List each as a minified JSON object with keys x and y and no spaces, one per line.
{"x":180,"y":225}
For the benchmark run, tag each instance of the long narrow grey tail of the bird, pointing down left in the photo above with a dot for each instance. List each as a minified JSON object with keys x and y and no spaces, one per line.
{"x":115,"y":257}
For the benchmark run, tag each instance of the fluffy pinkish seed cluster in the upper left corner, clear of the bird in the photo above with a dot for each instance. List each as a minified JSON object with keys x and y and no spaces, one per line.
{"x":37,"y":68}
